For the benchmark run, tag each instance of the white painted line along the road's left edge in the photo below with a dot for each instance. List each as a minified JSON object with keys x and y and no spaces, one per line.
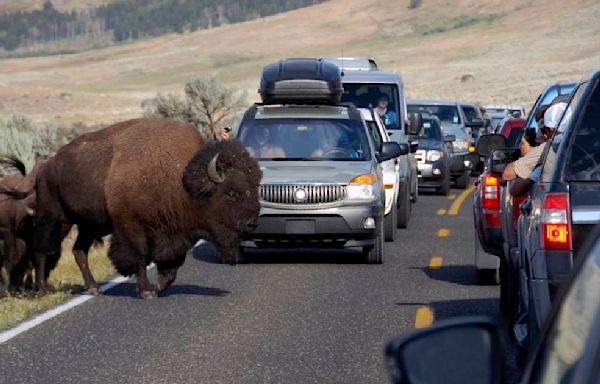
{"x":61,"y":308}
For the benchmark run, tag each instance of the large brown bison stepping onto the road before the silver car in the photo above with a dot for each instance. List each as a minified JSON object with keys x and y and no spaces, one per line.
{"x":153,"y":184}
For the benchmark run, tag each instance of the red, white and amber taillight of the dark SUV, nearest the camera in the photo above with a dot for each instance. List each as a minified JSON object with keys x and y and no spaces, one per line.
{"x":556,"y":222}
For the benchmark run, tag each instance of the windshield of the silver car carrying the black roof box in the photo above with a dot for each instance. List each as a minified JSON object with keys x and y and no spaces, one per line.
{"x":305,"y":139}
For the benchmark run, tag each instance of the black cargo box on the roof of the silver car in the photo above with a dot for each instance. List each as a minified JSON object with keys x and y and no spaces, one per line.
{"x":301,"y":81}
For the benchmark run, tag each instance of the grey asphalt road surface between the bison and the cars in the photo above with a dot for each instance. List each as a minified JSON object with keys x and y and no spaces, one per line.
{"x":282,"y":318}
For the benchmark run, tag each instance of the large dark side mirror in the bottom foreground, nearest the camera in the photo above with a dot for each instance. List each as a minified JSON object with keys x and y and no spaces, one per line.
{"x":464,"y":351}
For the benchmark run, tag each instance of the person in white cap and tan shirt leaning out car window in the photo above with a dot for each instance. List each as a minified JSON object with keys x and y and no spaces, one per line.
{"x":523,"y":167}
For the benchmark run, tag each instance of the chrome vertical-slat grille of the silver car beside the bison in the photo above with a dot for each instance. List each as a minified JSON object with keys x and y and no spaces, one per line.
{"x":302,"y":194}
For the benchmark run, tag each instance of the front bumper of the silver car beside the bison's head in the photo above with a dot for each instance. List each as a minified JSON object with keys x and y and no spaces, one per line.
{"x":339,"y":227}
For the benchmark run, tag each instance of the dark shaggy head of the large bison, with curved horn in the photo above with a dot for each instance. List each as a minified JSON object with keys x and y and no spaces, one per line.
{"x":224,"y":175}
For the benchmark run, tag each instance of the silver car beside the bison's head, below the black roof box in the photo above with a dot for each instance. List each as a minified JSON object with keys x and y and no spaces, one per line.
{"x":322,"y":183}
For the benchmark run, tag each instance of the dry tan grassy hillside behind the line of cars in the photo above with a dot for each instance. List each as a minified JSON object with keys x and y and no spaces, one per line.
{"x":508,"y":50}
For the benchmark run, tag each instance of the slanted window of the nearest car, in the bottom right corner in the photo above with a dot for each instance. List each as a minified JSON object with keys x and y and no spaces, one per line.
{"x":570,"y":330}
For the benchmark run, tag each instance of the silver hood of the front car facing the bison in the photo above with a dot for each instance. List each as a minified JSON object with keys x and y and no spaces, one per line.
{"x":328,"y":172}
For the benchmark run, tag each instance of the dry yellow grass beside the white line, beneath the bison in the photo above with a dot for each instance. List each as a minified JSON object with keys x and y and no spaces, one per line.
{"x":66,"y":280}
